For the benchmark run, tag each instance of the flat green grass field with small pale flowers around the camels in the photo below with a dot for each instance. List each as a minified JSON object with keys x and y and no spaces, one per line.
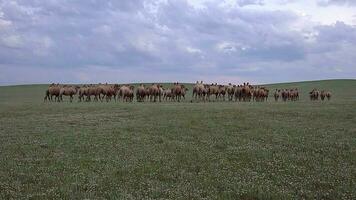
{"x":215,"y":150}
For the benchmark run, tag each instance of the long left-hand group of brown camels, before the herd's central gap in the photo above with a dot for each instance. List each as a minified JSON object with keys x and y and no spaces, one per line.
{"x":101,"y":92}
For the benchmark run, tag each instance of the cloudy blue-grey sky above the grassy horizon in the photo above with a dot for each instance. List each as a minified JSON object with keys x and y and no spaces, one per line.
{"x":260,"y":41}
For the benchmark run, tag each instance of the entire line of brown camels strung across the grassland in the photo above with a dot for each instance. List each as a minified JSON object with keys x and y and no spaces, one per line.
{"x":177,"y":92}
